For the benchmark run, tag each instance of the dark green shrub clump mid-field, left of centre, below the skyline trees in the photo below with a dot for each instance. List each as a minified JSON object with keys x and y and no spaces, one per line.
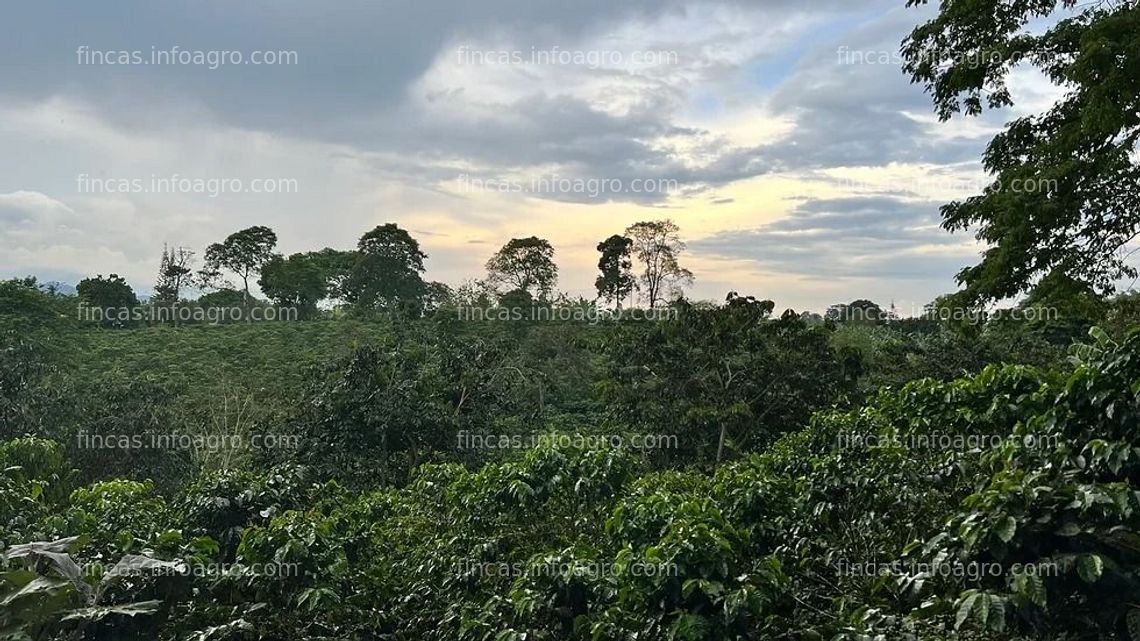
{"x":393,"y":407}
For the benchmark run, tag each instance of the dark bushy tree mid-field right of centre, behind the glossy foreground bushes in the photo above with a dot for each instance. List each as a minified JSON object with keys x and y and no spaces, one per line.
{"x":726,"y":378}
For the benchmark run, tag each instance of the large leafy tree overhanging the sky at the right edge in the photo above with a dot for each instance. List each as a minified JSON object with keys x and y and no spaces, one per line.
{"x":1066,"y":182}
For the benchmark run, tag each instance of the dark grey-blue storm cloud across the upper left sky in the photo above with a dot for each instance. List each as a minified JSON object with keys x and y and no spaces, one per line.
{"x":355,"y":58}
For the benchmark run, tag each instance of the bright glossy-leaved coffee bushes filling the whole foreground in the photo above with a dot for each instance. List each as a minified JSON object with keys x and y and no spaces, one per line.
{"x":915,"y":516}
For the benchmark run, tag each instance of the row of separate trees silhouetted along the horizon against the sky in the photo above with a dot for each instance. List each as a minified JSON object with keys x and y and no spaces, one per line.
{"x":386,"y":273}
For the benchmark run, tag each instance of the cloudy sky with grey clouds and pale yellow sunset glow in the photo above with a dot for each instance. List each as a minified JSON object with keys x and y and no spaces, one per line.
{"x":781,"y":136}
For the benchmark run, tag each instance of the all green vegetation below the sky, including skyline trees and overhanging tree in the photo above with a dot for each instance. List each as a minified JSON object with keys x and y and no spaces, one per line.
{"x":496,"y":463}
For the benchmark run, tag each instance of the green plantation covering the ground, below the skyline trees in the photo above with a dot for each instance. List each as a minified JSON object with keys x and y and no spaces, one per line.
{"x":726,"y":474}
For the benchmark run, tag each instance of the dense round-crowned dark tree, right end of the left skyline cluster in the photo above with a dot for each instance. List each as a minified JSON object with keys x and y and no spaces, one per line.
{"x":388,"y":270}
